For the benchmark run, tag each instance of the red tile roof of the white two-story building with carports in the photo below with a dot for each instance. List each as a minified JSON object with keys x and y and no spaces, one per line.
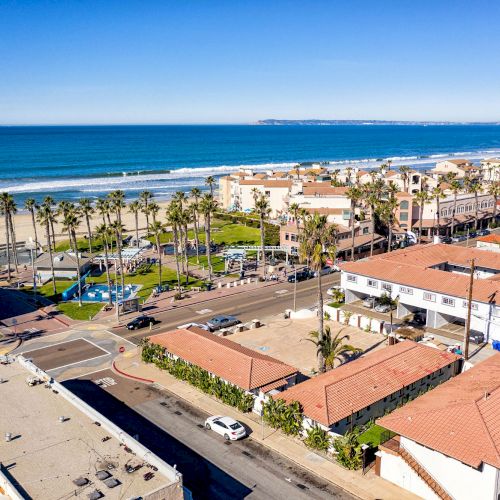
{"x":412,"y":267}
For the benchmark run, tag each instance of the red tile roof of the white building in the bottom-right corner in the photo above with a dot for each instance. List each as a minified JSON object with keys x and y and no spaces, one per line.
{"x":460,"y":418}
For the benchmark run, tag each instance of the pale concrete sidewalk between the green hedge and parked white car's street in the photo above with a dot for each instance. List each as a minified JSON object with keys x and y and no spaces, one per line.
{"x":369,"y":486}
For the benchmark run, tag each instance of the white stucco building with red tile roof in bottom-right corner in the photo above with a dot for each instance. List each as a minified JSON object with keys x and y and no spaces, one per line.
{"x":447,"y":441}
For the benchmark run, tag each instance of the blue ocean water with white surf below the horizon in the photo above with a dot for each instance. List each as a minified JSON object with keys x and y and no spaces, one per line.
{"x":71,"y":162}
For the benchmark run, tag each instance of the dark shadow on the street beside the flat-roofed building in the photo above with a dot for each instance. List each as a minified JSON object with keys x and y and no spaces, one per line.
{"x":202,"y":477}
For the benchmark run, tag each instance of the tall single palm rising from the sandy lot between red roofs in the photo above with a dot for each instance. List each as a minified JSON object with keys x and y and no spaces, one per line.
{"x":316,"y":241}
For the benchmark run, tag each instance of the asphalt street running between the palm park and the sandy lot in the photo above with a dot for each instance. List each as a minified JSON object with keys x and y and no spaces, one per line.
{"x":256,"y":304}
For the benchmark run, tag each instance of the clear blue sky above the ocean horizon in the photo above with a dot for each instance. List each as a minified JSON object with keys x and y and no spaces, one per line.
{"x":237,"y":61}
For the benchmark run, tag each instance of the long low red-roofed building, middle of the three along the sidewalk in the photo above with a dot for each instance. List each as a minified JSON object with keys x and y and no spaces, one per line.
{"x":366,"y":388}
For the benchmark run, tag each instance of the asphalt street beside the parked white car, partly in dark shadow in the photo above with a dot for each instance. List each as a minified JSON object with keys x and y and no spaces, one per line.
{"x":211,"y":468}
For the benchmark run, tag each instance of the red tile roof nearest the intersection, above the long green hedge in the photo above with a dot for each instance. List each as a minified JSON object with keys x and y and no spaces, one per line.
{"x":229,"y":360}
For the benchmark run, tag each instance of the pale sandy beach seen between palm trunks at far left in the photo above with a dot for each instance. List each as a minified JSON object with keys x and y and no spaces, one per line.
{"x":24,"y":225}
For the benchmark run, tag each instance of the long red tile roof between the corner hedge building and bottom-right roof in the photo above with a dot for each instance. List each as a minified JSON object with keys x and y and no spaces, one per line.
{"x":335,"y":395}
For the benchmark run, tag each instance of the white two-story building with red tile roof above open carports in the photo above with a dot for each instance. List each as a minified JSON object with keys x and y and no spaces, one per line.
{"x":432,"y":280}
